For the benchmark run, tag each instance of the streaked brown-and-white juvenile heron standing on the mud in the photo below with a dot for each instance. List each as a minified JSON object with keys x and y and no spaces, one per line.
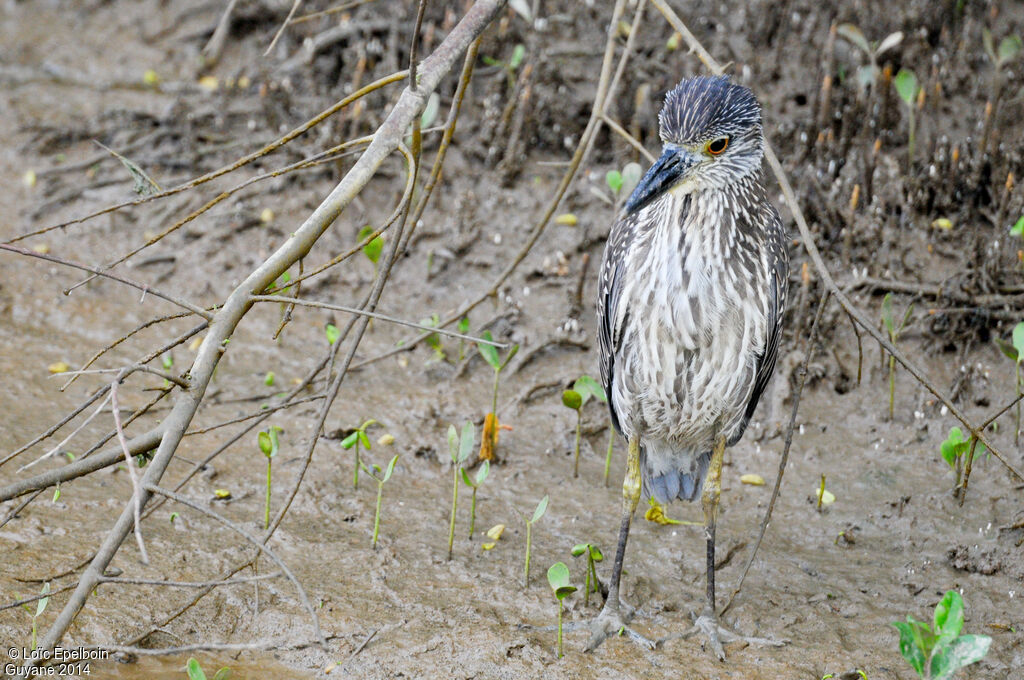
{"x":693,"y":290}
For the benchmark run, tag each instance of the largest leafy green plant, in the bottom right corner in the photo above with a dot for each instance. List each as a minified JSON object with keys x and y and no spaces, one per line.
{"x":937,"y":652}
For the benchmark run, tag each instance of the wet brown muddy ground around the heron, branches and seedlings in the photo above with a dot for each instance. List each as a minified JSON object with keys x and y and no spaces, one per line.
{"x":830,"y":583}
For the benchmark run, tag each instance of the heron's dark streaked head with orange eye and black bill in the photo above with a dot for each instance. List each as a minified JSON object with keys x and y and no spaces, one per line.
{"x":712,"y":134}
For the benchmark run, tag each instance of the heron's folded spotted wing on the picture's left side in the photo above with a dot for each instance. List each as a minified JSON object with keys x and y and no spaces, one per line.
{"x":610,"y":326}
